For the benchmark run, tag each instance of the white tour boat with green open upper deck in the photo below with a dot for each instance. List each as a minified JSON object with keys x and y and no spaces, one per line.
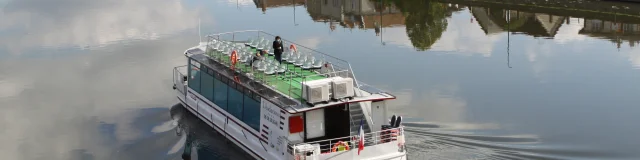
{"x":310,"y":106}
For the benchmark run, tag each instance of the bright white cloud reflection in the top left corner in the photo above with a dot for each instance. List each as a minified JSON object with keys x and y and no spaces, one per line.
{"x":80,"y":23}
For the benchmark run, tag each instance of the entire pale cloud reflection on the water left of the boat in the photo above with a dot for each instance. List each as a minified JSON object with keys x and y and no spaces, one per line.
{"x":90,"y":101}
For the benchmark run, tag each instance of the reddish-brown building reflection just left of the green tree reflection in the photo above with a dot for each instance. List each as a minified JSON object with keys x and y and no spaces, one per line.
{"x":362,"y":14}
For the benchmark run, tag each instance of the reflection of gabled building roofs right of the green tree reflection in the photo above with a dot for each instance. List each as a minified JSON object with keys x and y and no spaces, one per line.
{"x":500,"y":20}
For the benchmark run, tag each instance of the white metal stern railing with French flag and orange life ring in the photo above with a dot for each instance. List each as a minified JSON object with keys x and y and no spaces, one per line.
{"x":370,"y":139}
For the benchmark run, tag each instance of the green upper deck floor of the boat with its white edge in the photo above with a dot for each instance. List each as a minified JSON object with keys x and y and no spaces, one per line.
{"x":283,"y":89}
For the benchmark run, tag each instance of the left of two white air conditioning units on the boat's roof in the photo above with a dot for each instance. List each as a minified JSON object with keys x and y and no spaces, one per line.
{"x":316,"y":91}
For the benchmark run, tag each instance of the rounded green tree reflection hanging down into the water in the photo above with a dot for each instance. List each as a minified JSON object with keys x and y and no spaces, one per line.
{"x":425,"y":21}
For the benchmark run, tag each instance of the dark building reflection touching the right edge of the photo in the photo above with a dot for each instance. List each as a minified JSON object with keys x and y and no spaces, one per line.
{"x":616,"y":32}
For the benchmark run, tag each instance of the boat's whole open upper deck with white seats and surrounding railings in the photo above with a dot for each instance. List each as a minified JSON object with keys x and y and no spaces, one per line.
{"x":282,"y":90}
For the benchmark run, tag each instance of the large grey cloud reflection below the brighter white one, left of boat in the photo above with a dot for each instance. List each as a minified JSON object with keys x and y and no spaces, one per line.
{"x":63,"y":100}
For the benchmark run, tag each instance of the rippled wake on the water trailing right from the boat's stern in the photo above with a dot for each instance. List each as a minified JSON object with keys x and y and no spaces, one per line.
{"x":434,"y":141}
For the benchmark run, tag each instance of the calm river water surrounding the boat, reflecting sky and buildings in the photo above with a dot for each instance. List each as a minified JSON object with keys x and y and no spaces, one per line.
{"x":481,"y":79}
